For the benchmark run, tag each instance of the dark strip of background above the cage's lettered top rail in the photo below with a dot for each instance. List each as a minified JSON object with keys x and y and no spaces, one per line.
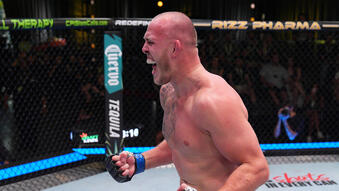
{"x":199,"y":9}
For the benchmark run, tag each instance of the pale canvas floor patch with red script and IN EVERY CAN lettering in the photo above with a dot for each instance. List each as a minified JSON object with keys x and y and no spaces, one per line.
{"x":308,"y":176}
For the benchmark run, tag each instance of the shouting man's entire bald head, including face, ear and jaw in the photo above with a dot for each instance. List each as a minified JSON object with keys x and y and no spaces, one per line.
{"x":170,"y":44}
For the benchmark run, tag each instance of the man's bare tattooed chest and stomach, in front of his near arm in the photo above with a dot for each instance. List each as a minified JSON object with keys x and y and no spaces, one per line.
{"x":194,"y":154}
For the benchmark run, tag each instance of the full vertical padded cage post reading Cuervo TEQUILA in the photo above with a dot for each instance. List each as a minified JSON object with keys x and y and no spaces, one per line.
{"x":113,"y":85}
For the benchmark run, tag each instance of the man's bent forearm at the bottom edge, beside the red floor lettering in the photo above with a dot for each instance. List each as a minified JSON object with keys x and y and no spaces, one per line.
{"x":246,"y":177}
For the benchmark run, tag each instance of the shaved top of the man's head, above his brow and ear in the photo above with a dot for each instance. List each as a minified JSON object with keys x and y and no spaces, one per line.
{"x":176,"y":25}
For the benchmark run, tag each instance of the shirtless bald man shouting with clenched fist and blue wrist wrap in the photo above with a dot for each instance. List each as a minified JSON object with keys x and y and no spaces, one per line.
{"x":205,"y":126}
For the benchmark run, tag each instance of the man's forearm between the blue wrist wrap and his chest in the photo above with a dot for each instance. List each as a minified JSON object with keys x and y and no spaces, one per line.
{"x":158,"y":156}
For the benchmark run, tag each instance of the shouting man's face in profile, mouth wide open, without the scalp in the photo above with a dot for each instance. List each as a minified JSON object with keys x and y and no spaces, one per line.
{"x":156,"y":47}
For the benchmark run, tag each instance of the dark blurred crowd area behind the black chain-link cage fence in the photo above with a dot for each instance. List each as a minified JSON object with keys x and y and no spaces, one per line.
{"x":52,"y":82}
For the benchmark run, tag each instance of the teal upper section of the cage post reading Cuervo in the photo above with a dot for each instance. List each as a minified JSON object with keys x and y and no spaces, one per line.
{"x":113,"y":63}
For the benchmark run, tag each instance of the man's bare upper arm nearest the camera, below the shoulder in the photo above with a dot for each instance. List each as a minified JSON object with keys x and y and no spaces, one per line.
{"x":230,"y":130}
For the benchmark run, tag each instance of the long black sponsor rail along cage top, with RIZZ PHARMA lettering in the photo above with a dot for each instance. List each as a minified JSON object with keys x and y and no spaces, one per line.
{"x":69,"y":23}
